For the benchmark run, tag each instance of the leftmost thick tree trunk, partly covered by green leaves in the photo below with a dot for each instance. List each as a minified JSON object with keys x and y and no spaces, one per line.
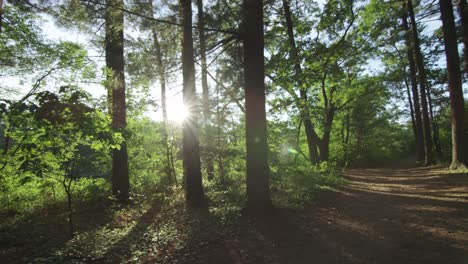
{"x":116,"y":86}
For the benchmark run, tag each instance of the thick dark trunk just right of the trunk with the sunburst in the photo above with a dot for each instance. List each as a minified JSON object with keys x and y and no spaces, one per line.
{"x":258,"y":191}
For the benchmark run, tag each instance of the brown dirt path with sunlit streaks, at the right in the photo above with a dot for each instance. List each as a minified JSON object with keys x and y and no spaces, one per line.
{"x":379,"y":216}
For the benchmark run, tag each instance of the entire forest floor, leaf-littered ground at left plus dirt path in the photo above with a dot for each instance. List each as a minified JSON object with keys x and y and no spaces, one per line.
{"x":377,"y":216}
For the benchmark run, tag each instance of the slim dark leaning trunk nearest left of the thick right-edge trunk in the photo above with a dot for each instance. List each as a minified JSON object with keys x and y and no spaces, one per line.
{"x":428,"y":155}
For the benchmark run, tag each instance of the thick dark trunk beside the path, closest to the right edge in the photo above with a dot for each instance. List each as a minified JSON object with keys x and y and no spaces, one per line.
{"x":459,"y":148}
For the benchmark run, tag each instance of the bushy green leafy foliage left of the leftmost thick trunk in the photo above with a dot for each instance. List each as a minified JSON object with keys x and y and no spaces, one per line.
{"x":53,"y":138}
